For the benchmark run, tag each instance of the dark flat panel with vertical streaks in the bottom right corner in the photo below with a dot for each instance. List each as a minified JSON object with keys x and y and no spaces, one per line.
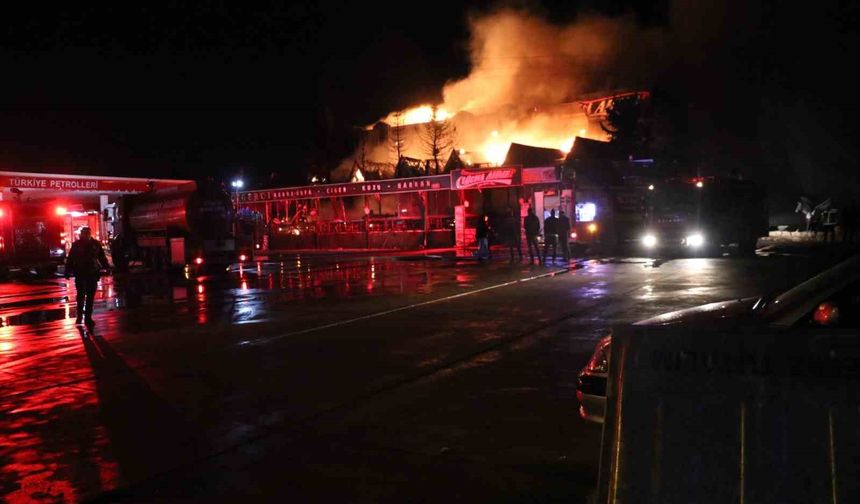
{"x":747,"y":417}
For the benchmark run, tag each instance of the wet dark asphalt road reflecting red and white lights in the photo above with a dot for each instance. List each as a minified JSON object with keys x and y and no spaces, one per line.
{"x":356,"y":379}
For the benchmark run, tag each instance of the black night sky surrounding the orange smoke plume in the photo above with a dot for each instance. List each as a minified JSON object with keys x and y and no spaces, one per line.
{"x":175,"y":89}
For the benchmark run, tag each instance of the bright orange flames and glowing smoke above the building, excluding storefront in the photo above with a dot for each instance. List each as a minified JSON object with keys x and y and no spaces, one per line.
{"x":526,"y":79}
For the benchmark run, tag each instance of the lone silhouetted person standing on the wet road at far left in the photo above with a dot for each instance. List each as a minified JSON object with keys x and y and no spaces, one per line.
{"x":85,"y":261}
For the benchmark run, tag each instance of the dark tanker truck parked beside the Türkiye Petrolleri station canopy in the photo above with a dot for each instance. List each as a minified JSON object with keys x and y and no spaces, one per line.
{"x":174,"y":228}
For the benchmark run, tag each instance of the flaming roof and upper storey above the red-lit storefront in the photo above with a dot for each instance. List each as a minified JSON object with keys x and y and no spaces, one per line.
{"x":474,"y":140}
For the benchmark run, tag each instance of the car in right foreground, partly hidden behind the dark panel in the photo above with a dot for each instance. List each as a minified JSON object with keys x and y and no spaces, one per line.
{"x":830,"y":299}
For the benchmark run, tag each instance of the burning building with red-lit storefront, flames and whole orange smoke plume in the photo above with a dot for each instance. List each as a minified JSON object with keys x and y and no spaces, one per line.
{"x":495,"y":141}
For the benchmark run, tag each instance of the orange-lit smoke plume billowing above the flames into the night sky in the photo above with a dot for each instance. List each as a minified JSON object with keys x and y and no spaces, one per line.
{"x":521,"y":60}
